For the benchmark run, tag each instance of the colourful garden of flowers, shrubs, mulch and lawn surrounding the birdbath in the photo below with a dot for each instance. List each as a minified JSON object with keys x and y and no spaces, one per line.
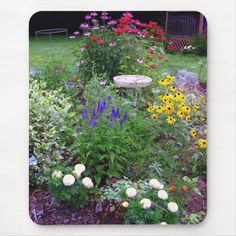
{"x":95,"y":156}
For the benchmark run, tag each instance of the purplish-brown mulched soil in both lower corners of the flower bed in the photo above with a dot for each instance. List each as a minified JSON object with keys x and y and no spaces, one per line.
{"x":44,"y":210}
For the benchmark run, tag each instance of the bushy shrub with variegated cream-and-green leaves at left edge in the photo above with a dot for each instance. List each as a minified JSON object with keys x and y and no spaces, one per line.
{"x":49,"y":129}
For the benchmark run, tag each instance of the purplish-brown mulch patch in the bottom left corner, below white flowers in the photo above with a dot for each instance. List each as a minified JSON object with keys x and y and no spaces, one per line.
{"x":44,"y":210}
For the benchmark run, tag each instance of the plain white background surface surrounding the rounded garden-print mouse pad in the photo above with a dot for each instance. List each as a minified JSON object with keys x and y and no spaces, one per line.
{"x":14,"y":17}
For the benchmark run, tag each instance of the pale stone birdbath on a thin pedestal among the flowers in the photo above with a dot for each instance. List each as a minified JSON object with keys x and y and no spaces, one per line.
{"x":132,"y":82}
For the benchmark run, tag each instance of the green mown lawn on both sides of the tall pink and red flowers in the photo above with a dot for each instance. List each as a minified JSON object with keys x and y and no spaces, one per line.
{"x":60,"y":49}
